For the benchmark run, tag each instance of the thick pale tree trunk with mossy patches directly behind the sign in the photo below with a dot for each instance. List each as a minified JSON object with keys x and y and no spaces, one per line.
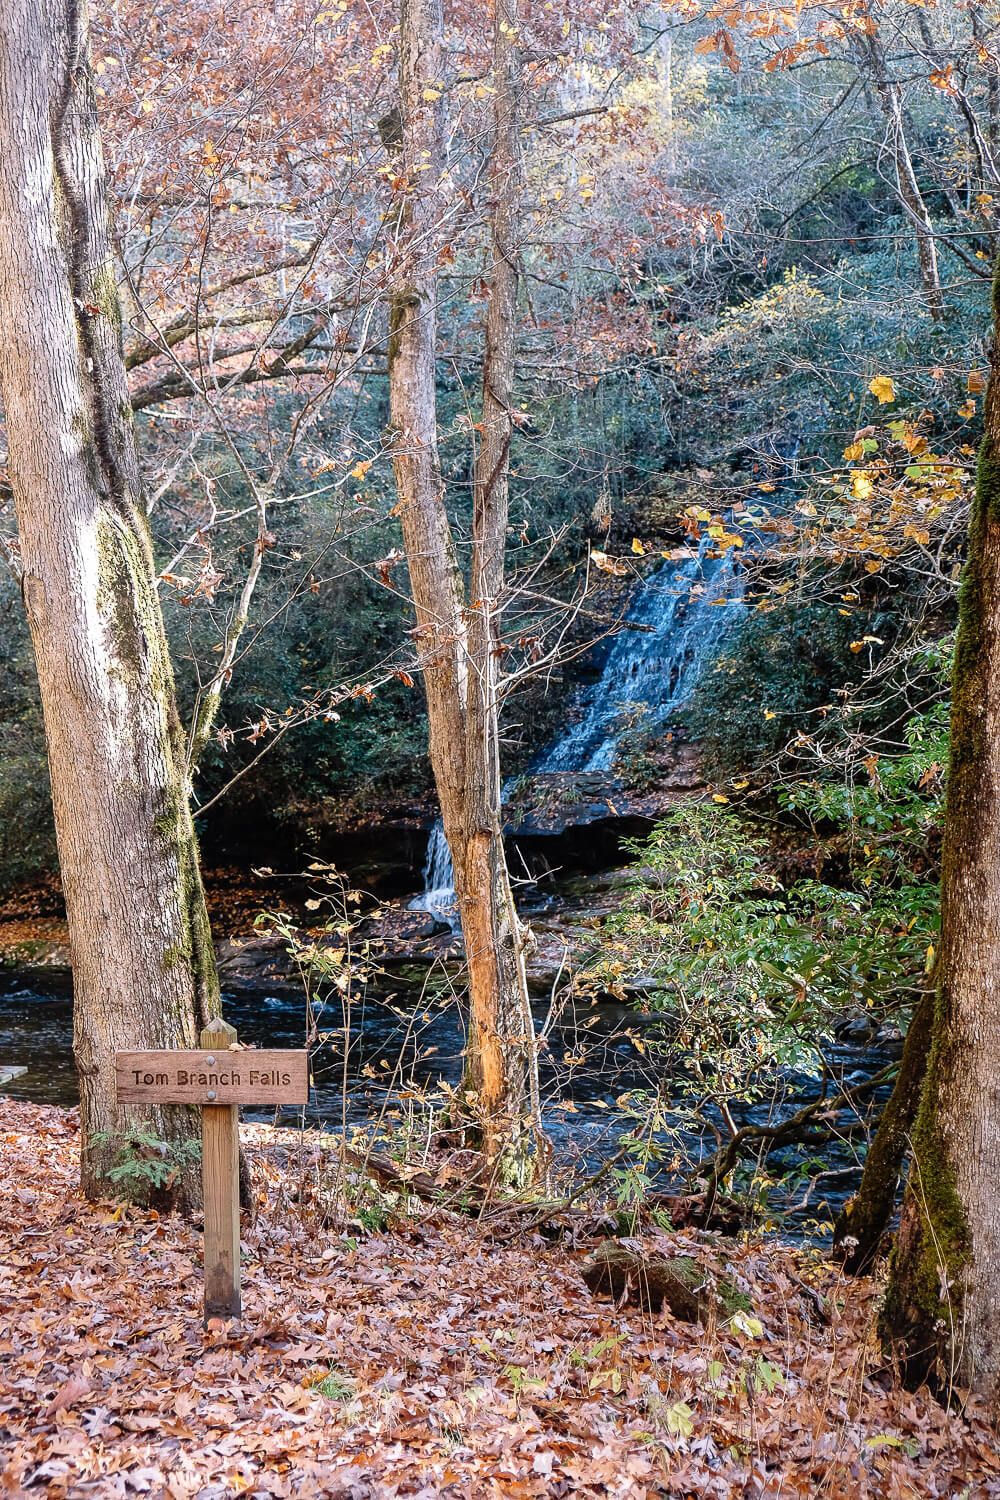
{"x":142,"y":952}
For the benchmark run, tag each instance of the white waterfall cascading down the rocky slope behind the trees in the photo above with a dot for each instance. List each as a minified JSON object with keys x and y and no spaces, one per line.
{"x":680,"y":616}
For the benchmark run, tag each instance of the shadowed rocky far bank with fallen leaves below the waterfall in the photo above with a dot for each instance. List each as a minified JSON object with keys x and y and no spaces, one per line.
{"x":567,"y":848}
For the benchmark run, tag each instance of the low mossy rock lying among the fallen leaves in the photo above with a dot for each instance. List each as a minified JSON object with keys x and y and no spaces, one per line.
{"x":653,"y":1280}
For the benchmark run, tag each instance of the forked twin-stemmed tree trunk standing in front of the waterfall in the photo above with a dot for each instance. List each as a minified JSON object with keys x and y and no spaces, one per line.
{"x":460,"y":644}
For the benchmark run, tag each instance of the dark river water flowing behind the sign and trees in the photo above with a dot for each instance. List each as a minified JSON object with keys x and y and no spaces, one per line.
{"x":404,"y":1055}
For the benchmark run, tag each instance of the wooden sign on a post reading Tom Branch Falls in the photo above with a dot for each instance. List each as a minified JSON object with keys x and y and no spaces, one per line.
{"x":220,"y":1079}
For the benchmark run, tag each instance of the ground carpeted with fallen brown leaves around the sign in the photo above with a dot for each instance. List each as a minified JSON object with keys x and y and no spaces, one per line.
{"x":431,"y":1360}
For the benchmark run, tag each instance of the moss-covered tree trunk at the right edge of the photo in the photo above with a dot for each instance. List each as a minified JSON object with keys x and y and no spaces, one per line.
{"x":945,"y":1277}
